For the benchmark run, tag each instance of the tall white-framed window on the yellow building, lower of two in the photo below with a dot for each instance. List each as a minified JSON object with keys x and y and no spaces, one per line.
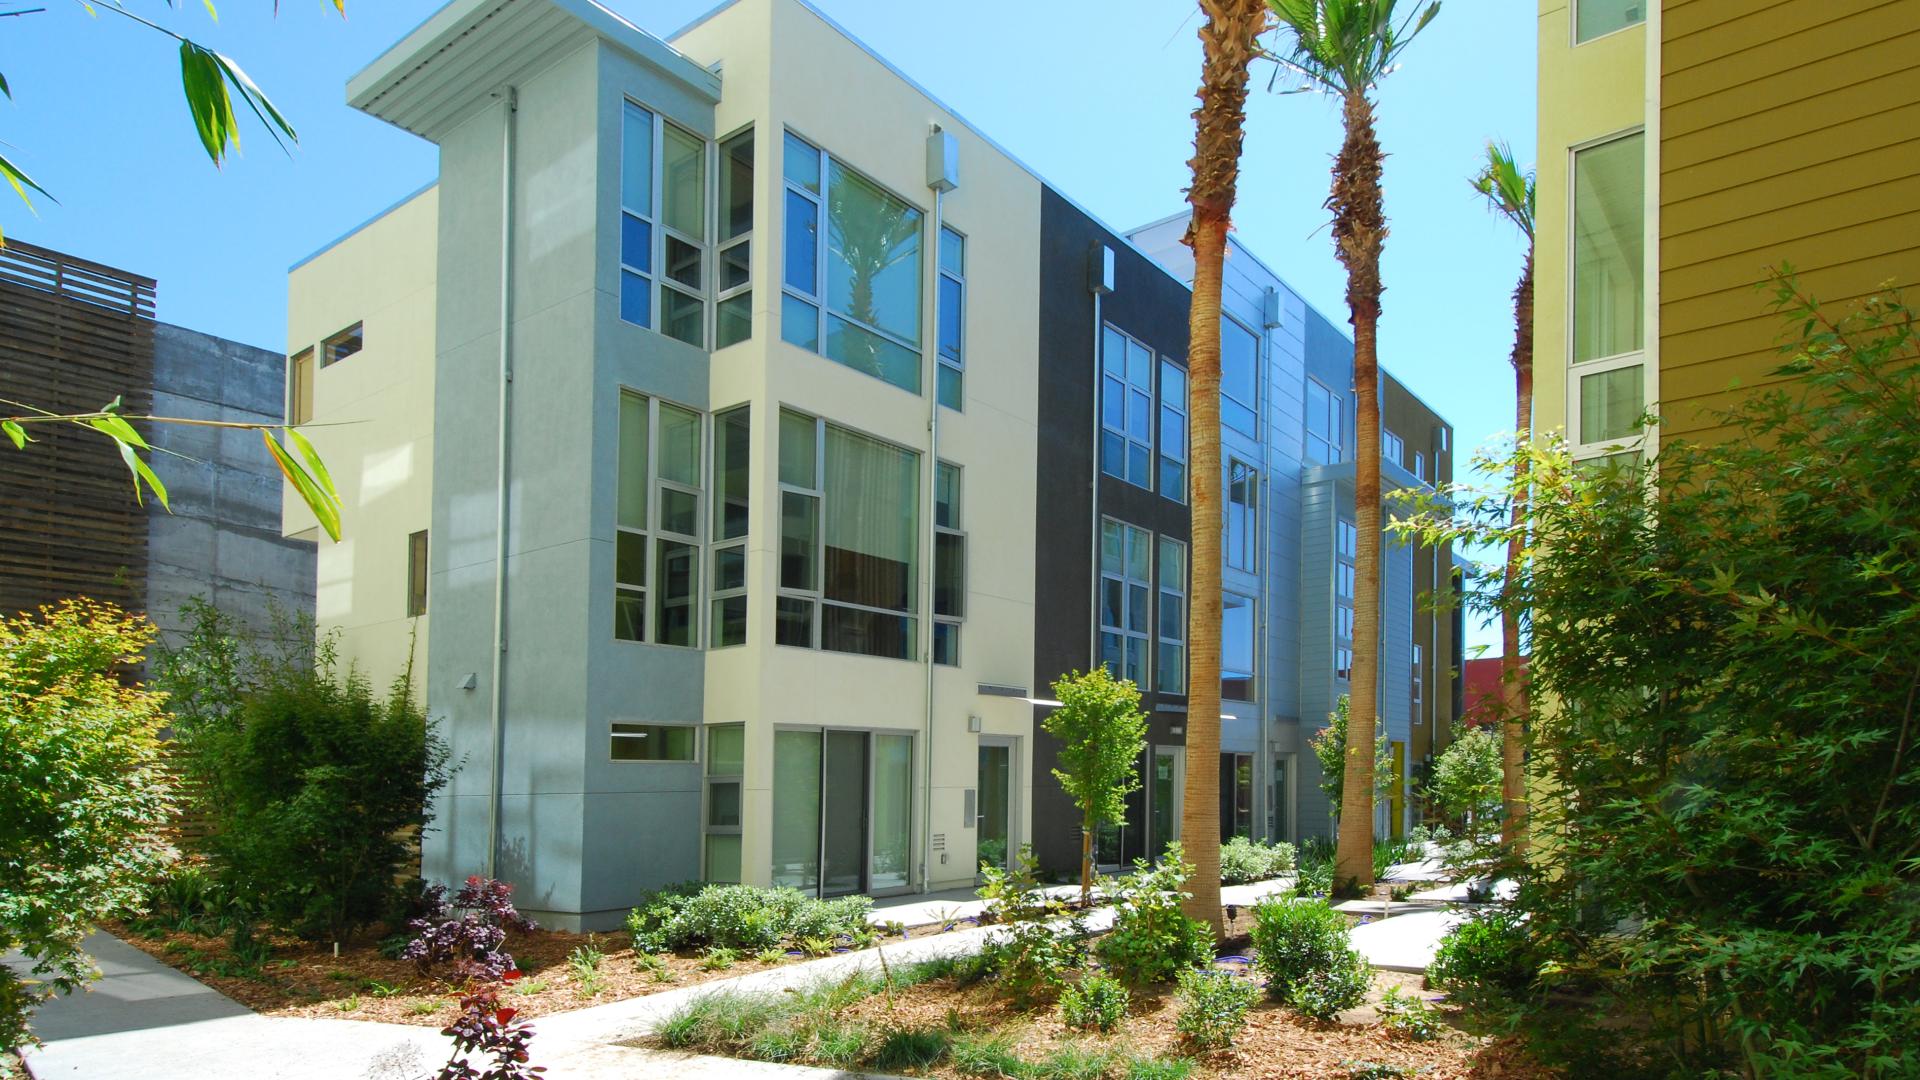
{"x":1608,"y":289}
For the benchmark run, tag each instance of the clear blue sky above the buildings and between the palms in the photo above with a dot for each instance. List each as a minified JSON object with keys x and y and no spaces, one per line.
{"x":1093,"y":97}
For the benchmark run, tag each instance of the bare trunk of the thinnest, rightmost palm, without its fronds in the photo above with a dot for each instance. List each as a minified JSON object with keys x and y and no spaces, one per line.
{"x":1512,"y":677}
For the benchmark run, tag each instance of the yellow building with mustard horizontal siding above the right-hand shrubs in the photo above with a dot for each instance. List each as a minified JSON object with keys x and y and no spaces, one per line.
{"x":1687,"y":147}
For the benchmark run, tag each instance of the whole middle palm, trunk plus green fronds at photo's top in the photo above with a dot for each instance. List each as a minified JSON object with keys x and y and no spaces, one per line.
{"x":1345,"y":49}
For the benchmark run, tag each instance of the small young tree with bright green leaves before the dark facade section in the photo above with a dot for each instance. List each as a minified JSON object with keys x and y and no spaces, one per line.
{"x":1101,"y":733}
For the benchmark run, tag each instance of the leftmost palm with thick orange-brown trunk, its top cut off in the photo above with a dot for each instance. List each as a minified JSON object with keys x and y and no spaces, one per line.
{"x":1230,"y":41}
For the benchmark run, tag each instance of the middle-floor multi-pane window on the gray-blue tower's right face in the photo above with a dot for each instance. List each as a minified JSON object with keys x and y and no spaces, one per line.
{"x":658,"y":524}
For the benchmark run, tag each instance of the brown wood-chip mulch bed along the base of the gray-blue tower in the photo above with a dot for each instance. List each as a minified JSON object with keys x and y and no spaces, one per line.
{"x":360,"y":985}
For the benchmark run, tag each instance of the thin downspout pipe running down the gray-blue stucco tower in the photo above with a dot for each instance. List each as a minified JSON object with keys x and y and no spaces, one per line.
{"x":504,"y":424}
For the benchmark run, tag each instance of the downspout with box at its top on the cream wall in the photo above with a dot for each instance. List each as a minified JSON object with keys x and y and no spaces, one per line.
{"x":944,"y":176}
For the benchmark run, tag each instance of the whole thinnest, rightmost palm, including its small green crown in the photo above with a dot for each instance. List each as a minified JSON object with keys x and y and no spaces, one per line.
{"x":1510,"y":193}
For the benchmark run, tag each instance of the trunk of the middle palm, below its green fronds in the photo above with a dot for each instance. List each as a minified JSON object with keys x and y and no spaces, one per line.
{"x":1360,"y":233}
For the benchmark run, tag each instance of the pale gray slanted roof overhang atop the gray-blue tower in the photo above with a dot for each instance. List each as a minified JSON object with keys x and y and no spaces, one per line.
{"x":435,"y":76}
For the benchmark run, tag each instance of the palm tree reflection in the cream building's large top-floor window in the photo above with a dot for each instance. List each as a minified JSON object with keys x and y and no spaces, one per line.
{"x":871,"y":233}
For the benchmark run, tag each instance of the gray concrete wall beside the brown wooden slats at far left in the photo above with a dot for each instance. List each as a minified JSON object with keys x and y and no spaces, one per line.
{"x":224,"y":539}
